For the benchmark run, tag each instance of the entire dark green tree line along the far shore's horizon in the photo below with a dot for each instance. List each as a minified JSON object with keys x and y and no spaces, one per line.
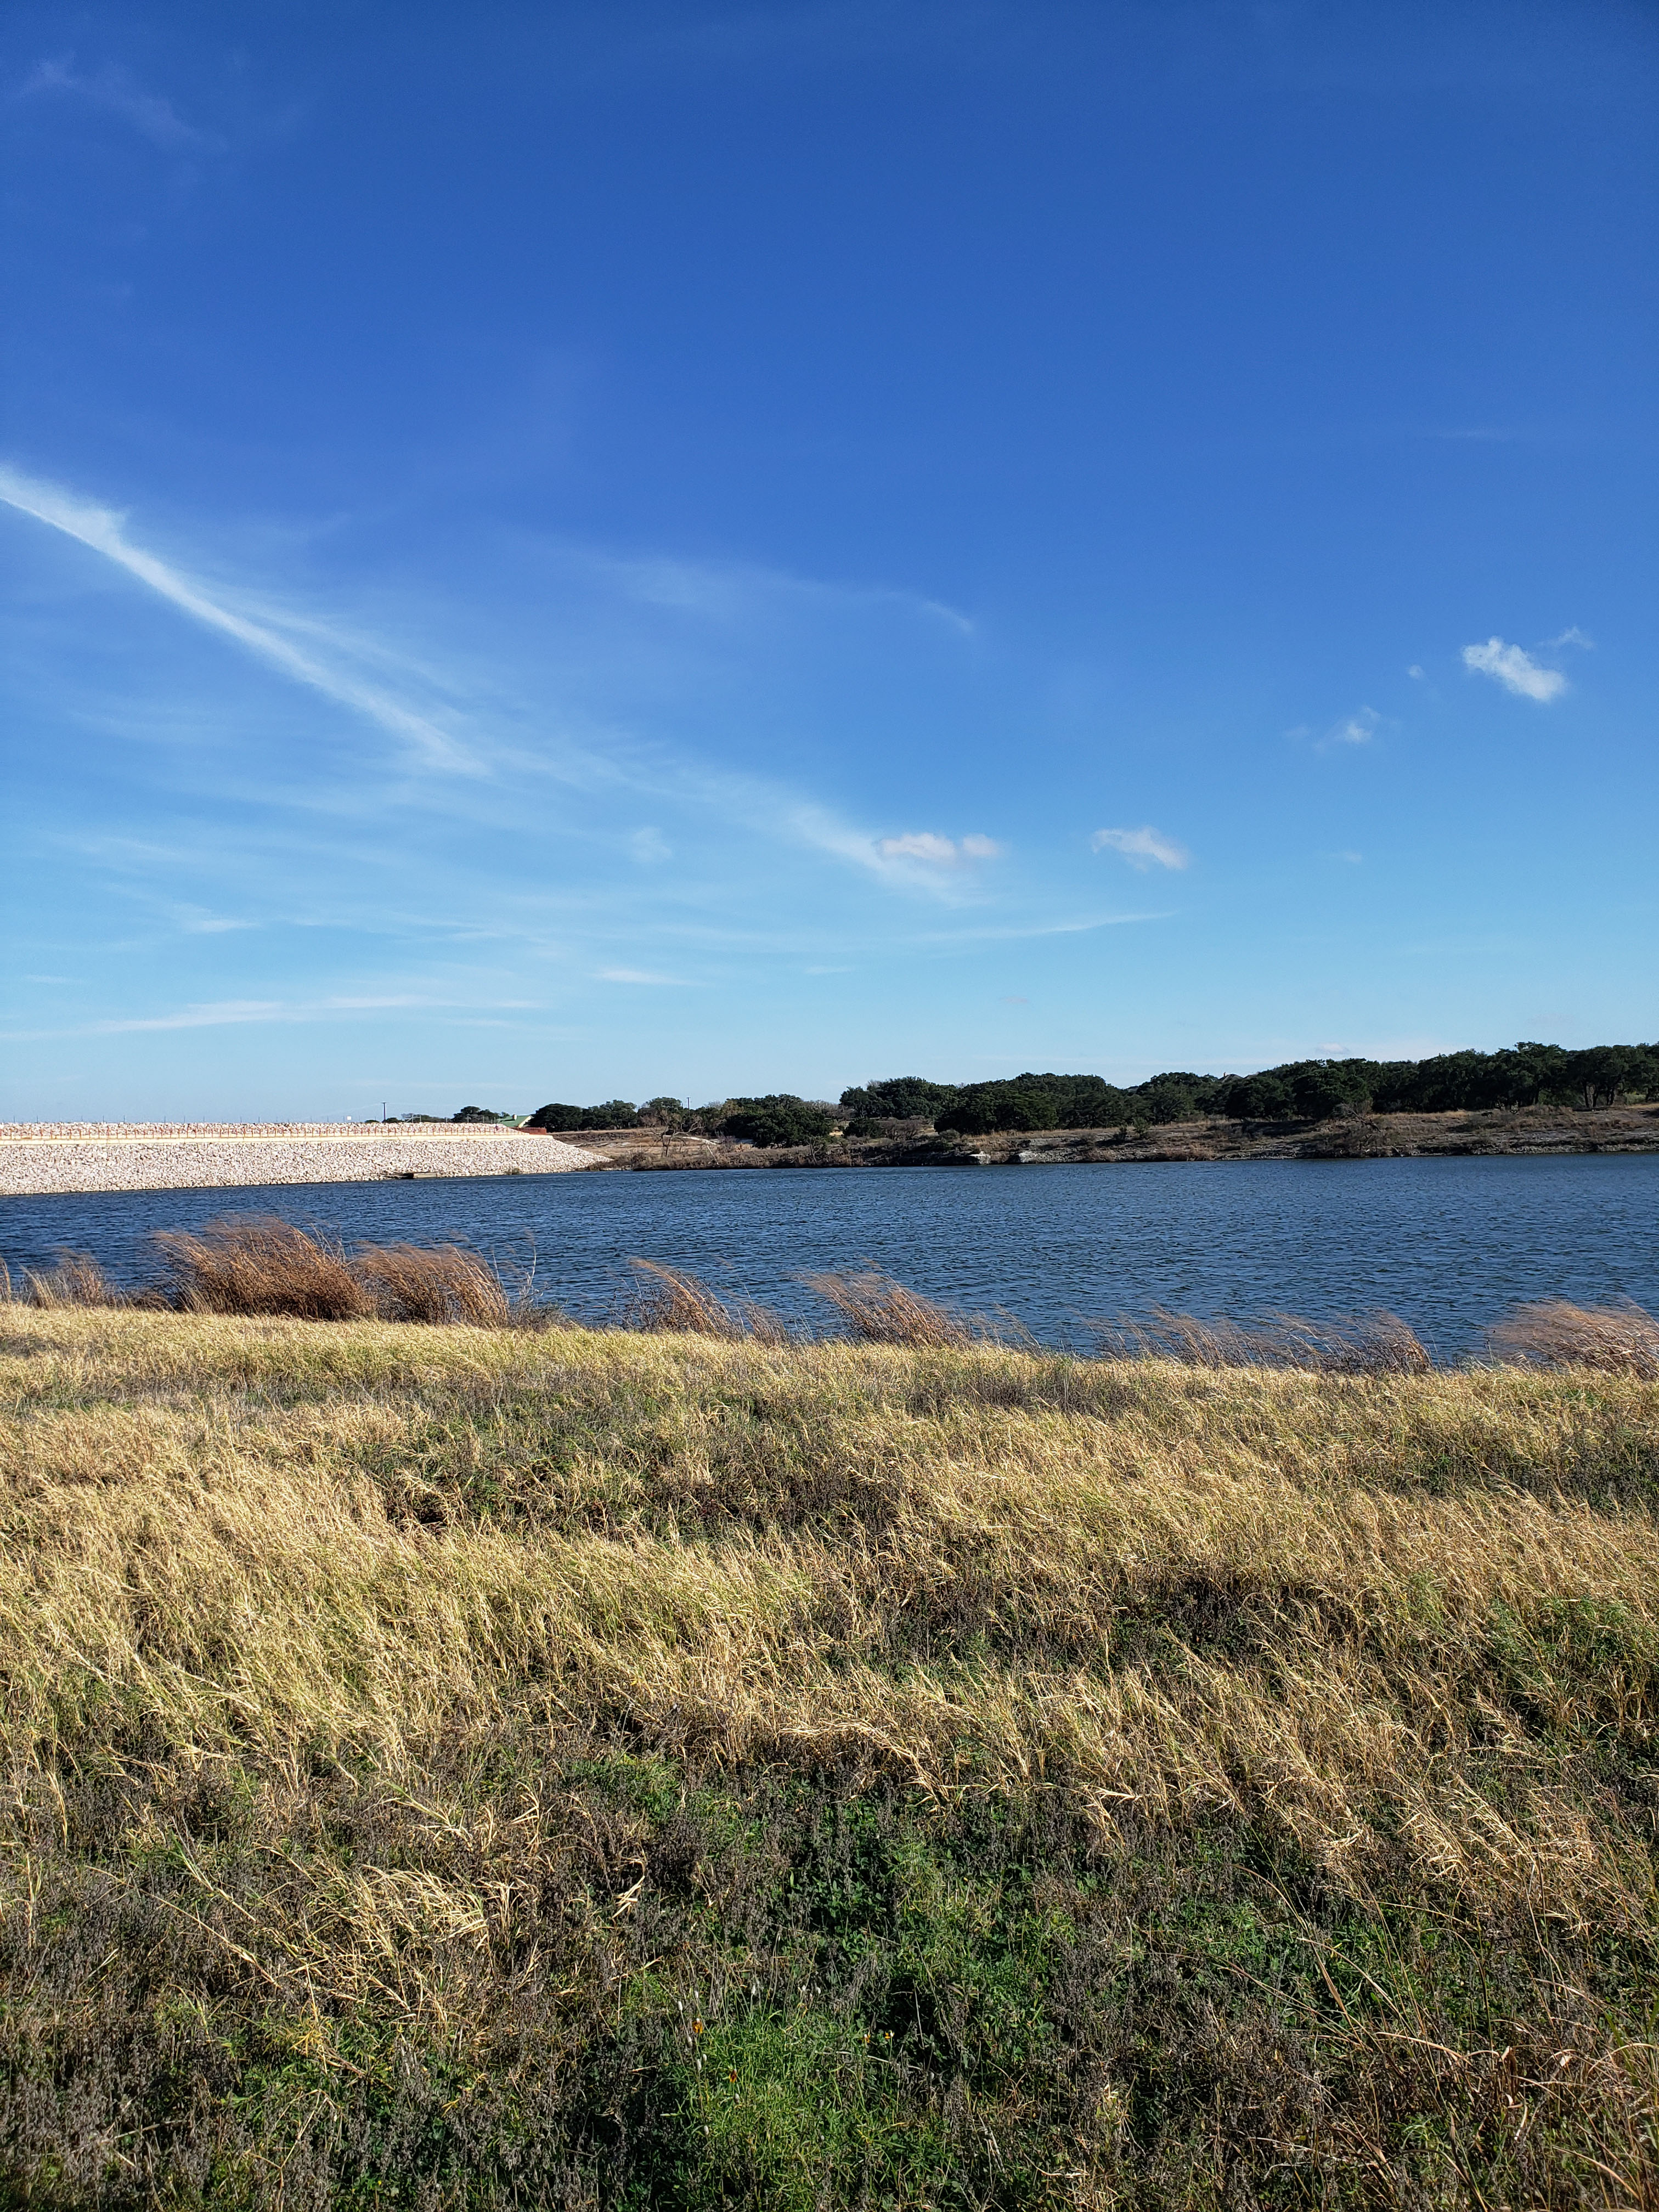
{"x":1295,"y":1092}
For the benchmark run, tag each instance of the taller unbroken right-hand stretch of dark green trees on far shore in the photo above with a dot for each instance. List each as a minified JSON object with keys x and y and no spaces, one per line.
{"x":1297,"y":1092}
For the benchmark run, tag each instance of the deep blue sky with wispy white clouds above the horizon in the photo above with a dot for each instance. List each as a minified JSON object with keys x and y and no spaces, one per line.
{"x":559,"y":552}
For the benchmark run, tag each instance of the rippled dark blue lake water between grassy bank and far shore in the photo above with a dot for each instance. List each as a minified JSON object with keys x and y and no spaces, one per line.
{"x":1450,"y":1244}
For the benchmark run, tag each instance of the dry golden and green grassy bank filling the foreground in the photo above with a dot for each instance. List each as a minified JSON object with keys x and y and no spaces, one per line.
{"x":483,"y":1768}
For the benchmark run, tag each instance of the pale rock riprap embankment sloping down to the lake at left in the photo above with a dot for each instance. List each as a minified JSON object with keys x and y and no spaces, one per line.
{"x":43,"y":1158}
